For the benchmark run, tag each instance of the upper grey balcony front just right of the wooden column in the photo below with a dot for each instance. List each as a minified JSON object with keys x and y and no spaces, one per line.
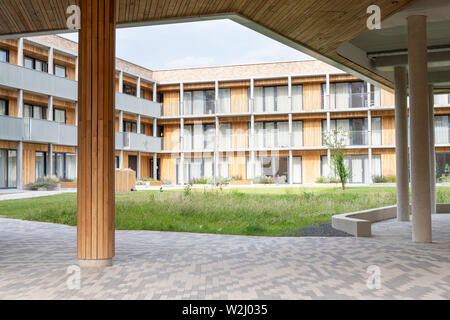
{"x":132,"y":104}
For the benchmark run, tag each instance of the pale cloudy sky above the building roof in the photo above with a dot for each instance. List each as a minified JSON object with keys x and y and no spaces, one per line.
{"x":198,"y":44}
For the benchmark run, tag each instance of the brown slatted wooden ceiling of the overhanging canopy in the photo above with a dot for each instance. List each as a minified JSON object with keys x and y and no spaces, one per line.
{"x":319,"y":25}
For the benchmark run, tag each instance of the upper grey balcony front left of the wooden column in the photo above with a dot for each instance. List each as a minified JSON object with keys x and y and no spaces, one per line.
{"x":14,"y":76}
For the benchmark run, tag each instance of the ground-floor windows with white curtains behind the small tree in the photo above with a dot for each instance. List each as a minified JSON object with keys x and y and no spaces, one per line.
{"x":359,"y":167}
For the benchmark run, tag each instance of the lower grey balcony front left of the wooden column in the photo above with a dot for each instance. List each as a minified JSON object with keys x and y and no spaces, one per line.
{"x":44,"y":131}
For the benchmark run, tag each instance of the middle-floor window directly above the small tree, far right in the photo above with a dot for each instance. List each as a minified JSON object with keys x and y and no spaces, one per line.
{"x":356,"y":130}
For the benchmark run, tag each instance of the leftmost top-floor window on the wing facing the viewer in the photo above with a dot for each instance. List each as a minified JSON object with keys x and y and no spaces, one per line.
{"x":199,"y":102}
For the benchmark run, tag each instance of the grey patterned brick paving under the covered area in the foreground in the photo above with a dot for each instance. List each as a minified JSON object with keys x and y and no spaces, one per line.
{"x":34,"y":258}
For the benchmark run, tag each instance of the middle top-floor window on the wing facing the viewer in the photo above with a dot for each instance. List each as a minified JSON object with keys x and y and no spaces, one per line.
{"x":276,"y":99}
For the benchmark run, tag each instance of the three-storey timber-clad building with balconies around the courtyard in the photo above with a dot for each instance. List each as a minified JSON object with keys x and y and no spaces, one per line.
{"x":181,"y":126}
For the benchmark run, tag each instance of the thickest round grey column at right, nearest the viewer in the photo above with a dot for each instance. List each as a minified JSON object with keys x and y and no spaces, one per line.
{"x":420,"y":135}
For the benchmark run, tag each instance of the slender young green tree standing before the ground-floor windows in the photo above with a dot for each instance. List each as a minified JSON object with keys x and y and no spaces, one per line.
{"x":335,"y":141}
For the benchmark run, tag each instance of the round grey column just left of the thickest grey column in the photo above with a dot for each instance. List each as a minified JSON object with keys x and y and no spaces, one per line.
{"x":401,"y":144}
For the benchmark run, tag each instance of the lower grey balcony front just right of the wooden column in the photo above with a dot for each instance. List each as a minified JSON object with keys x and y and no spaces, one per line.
{"x":138,"y":142}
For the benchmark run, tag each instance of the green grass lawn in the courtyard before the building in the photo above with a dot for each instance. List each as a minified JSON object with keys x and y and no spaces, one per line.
{"x":259,"y":211}
